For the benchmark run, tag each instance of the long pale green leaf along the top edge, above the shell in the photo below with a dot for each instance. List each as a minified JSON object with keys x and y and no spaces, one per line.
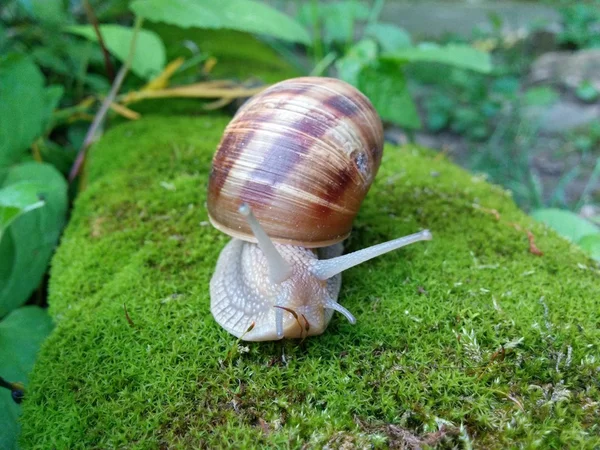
{"x":243,"y":15}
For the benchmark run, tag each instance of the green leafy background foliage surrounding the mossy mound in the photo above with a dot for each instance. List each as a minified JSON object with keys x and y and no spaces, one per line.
{"x":71,"y":68}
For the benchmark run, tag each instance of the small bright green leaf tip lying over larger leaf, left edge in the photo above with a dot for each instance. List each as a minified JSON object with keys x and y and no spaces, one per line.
{"x":16,"y":200}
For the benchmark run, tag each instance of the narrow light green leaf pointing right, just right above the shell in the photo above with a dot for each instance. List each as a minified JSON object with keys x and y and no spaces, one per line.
{"x":462,"y":56}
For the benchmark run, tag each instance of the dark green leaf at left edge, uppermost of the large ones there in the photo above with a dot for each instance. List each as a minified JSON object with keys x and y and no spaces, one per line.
{"x":22,"y":107}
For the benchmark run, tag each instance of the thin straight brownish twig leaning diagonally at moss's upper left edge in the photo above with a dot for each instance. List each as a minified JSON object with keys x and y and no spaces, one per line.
{"x":101,"y":114}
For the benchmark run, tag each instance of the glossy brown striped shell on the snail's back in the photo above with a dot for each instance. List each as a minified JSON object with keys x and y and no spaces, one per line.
{"x":303,"y":154}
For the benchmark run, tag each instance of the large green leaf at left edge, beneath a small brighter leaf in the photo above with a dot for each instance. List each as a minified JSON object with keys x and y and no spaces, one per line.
{"x":28,"y":243}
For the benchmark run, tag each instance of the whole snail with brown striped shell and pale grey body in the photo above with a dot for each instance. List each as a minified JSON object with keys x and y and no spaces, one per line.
{"x":287,"y":180}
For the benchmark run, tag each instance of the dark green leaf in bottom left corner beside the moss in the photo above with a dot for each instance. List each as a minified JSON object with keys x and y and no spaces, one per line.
{"x":21,"y":334}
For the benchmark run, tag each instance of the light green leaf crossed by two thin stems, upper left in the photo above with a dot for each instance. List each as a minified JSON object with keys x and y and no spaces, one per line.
{"x":149,"y":58}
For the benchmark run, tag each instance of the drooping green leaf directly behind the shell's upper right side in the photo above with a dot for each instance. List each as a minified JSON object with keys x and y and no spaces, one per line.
{"x":384,"y":83}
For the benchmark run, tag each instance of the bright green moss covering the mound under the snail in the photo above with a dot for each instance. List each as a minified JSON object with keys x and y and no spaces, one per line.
{"x":426,"y":350}
